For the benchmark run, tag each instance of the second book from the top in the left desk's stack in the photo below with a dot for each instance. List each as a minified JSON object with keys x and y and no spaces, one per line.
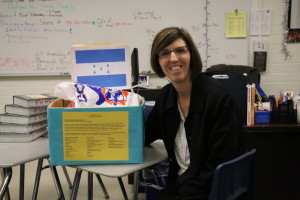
{"x":19,"y":110}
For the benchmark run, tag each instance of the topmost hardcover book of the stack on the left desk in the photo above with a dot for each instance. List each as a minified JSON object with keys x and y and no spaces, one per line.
{"x":33,"y":100}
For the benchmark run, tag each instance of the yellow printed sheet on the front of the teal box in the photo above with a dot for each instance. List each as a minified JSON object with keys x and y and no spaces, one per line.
{"x":94,"y":136}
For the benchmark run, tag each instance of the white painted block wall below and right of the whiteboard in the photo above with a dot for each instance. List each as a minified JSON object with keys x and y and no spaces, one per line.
{"x":281,"y":74}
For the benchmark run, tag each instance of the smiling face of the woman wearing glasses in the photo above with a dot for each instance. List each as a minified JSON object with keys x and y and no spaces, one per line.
{"x":174,"y":61}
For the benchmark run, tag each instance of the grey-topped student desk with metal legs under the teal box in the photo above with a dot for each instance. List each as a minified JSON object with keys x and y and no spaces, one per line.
{"x":153,"y":154}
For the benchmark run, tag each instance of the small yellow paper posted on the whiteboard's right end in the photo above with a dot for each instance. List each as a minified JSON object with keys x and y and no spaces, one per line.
{"x":236,"y":24}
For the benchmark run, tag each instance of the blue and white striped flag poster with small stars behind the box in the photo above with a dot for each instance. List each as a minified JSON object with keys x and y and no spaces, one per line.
{"x":105,"y":66}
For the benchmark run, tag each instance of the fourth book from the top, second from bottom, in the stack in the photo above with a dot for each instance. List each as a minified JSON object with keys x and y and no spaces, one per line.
{"x":22,"y":128}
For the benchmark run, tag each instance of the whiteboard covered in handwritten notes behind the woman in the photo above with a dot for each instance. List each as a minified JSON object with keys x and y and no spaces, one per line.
{"x":36,"y":35}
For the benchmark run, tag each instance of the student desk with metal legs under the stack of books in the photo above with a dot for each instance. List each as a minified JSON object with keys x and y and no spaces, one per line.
{"x":13,"y":154}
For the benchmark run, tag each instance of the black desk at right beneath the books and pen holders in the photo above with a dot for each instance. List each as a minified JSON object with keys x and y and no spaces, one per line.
{"x":277,"y":160}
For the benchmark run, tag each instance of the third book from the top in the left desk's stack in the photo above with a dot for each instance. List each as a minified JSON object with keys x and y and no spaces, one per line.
{"x":22,"y":119}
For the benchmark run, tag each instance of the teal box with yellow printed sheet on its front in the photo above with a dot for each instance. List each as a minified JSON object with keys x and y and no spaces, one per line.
{"x":110,"y":135}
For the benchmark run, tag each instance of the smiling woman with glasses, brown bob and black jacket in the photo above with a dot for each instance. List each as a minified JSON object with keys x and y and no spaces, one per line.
{"x":194,"y":116}
